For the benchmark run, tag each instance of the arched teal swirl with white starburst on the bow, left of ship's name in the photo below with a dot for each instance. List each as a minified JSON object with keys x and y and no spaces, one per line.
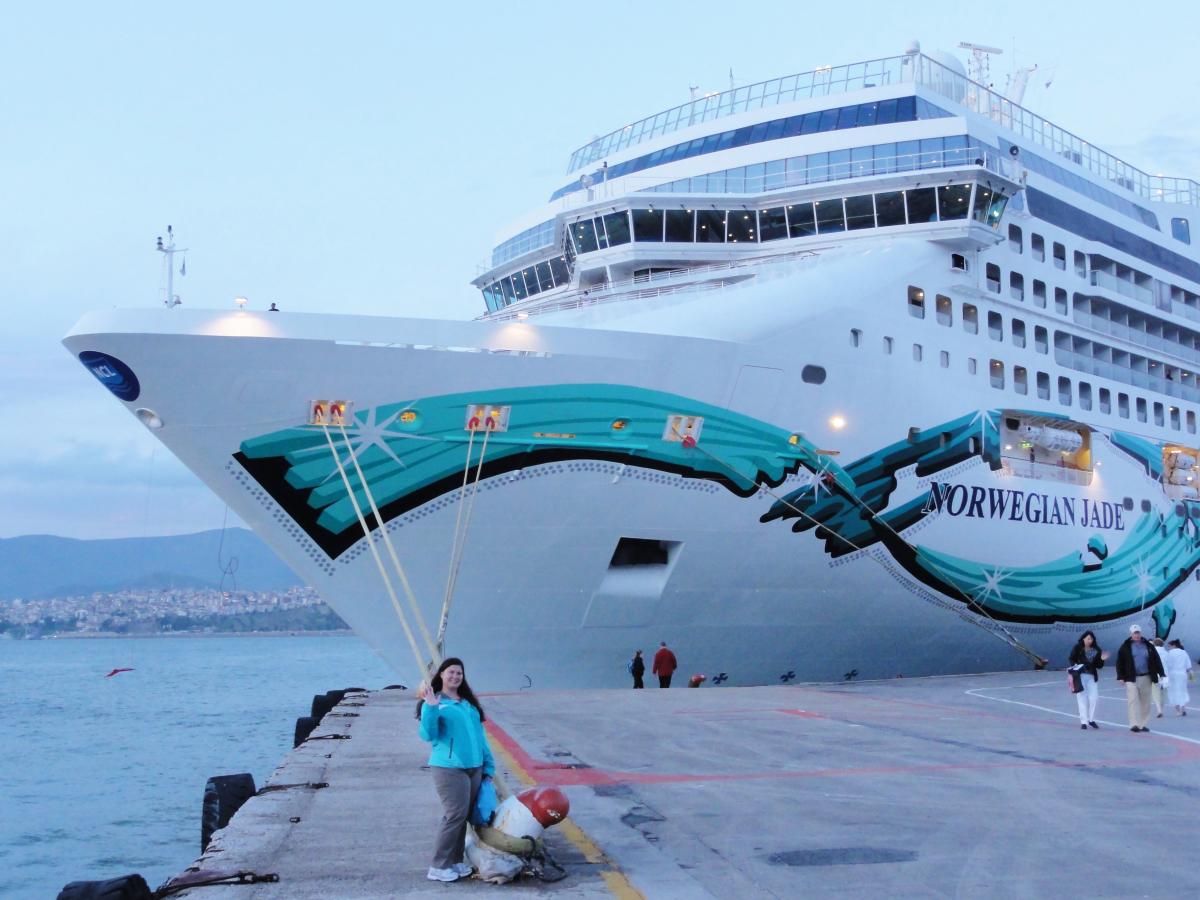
{"x":410,"y":460}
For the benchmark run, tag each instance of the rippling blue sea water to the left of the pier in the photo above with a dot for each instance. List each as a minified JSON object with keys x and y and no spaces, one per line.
{"x":105,"y":777}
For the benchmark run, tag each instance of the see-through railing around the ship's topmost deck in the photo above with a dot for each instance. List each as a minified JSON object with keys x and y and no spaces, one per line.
{"x":914,"y":69}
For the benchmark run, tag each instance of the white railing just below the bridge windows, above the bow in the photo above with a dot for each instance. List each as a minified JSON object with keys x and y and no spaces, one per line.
{"x":695,"y":278}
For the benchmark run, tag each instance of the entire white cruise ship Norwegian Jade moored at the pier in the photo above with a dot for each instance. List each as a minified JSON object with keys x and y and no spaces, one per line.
{"x":862,"y":373}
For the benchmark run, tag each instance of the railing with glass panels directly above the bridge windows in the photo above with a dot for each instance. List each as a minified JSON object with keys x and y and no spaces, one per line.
{"x":724,"y":183}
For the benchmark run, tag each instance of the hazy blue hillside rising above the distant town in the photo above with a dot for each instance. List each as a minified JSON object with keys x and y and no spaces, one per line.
{"x":40,"y":566}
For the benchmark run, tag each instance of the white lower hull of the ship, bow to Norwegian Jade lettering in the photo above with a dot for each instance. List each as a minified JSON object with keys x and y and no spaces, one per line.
{"x":538,"y":599}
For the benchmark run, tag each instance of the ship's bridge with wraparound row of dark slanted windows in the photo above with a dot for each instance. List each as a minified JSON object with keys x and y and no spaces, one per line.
{"x":955,"y":195}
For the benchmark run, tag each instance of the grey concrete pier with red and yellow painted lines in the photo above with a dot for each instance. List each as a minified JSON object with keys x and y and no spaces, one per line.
{"x":980,"y":787}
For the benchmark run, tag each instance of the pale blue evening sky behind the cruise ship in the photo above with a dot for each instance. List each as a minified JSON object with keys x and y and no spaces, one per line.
{"x":362,"y":158}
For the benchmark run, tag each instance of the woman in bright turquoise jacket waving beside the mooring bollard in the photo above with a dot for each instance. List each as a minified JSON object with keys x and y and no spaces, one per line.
{"x":453,"y":721}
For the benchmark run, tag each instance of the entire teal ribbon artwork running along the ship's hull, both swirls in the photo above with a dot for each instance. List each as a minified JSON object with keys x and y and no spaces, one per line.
{"x":413,"y":452}
